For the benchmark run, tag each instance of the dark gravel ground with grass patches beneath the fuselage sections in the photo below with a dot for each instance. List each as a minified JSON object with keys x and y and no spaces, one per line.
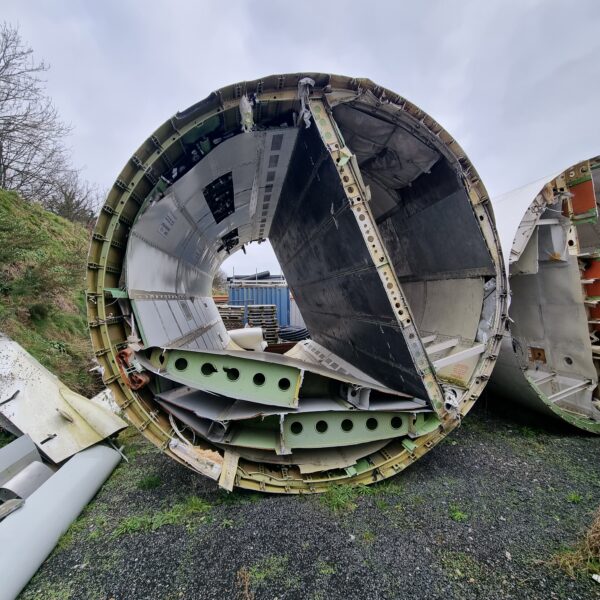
{"x":480,"y":516}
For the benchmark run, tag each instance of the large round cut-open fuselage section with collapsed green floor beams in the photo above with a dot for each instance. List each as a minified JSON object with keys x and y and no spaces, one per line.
{"x":392,"y":259}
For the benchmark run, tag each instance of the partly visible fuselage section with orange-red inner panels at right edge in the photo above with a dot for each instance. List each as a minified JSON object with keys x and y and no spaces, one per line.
{"x":550,"y":357}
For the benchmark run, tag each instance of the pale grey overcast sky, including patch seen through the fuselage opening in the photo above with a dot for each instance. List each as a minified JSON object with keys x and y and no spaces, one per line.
{"x":517,"y":83}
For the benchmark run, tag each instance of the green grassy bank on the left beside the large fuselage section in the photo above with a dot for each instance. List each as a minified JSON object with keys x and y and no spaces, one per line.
{"x":42,"y":303}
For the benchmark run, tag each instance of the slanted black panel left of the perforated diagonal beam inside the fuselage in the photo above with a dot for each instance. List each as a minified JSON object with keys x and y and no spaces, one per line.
{"x":327,"y":265}
